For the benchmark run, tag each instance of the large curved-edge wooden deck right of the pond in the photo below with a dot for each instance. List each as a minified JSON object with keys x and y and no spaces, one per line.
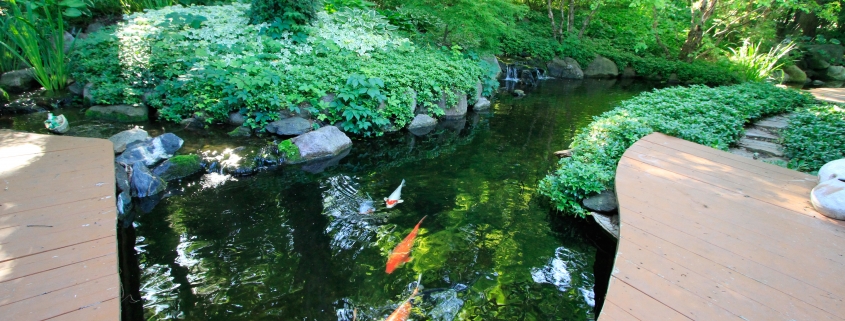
{"x":707,"y":235}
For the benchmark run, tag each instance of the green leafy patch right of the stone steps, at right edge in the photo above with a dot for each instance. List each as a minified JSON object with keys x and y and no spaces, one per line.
{"x":815,"y":136}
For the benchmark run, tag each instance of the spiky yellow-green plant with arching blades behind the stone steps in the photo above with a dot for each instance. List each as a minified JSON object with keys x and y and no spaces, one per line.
{"x":752,"y":65}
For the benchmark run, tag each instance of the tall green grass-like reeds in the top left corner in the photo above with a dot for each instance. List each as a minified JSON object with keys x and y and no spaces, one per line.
{"x":35,"y":36}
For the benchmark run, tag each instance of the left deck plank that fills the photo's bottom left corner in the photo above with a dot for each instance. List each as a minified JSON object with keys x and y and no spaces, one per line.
{"x":52,"y":304}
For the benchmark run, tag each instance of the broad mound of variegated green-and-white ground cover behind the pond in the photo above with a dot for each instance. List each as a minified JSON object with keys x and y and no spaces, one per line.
{"x":209,"y":61}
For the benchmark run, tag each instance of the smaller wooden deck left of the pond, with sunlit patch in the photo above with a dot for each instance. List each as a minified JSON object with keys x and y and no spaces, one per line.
{"x":58,"y":251}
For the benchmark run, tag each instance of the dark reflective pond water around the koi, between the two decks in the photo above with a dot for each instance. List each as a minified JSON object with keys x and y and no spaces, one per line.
{"x":289,"y":243}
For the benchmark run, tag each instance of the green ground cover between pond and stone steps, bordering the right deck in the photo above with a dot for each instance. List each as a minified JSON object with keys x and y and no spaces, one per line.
{"x":709,"y":116}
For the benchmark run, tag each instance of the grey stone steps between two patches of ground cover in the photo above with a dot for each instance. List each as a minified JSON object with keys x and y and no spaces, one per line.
{"x":761,"y":140}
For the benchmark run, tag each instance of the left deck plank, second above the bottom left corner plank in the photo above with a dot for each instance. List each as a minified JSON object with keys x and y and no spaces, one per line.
{"x":49,"y":260}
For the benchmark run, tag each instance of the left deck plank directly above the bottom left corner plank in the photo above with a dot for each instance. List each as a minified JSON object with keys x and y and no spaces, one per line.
{"x":19,"y":289}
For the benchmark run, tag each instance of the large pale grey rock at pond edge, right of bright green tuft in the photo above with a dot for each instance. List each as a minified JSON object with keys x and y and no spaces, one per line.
{"x":325,"y":142}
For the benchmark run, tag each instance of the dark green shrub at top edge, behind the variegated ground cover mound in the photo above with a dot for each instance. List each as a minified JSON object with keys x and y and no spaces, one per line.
{"x":298,"y":12}
